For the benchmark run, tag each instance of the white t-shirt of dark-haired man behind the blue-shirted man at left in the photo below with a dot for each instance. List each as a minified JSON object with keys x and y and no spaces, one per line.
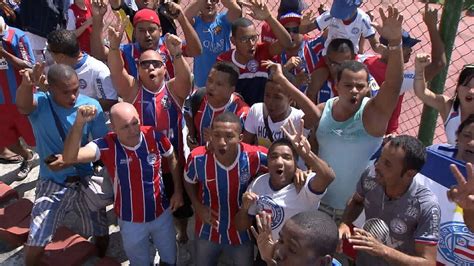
{"x":94,"y":79}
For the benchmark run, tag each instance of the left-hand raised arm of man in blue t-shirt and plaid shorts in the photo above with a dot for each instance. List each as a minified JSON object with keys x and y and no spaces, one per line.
{"x":25,"y":101}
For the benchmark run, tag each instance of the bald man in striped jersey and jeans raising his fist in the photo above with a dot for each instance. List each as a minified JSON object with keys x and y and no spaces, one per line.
{"x":132,"y":154}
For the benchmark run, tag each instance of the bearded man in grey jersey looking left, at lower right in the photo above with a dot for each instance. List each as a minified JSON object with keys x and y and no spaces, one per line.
{"x":389,"y":192}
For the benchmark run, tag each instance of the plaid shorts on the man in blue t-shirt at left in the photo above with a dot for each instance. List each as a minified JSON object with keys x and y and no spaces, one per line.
{"x":53,"y":201}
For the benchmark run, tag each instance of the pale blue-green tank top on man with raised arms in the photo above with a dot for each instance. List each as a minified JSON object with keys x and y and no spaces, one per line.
{"x":347,"y":148}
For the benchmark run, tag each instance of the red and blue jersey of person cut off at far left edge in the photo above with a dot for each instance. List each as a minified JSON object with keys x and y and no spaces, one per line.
{"x":16,"y":43}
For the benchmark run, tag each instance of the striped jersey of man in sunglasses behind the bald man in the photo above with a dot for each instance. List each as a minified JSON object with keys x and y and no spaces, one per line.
{"x":160,"y":110}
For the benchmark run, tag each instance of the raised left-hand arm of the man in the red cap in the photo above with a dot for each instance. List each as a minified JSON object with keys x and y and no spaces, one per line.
{"x":98,"y":49}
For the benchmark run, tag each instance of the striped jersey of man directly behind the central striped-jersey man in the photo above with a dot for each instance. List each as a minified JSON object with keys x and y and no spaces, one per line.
{"x":206,"y":114}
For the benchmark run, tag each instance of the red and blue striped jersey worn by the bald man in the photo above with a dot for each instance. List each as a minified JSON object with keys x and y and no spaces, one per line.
{"x":136,"y":174}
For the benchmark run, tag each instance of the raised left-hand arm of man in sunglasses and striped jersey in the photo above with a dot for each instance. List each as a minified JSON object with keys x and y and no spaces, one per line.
{"x":123,"y":82}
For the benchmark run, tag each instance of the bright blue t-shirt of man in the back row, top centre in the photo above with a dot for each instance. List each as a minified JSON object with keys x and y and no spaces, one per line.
{"x":215,"y":39}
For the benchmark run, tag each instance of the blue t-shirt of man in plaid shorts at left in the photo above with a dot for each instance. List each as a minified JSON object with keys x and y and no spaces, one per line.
{"x":49,"y":140}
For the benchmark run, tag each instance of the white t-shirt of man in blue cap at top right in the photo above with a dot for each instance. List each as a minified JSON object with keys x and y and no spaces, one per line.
{"x":337,"y":29}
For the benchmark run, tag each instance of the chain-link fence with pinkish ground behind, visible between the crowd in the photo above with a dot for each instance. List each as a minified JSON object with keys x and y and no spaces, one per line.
{"x":463,"y":50}
